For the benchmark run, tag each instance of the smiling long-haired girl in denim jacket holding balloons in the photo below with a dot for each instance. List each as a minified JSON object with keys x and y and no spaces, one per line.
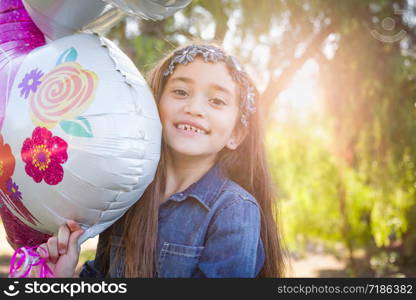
{"x":210,"y":210}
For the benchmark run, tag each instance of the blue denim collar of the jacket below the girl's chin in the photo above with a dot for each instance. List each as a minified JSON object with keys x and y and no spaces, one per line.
{"x":205,"y":189}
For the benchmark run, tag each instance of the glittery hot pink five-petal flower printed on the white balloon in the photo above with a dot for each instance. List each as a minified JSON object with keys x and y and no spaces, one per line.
{"x":43,"y":155}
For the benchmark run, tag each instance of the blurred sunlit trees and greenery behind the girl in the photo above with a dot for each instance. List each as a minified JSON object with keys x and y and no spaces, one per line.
{"x":338,"y":94}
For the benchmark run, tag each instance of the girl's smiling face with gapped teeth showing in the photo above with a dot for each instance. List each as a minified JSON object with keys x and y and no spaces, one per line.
{"x":199,"y":109}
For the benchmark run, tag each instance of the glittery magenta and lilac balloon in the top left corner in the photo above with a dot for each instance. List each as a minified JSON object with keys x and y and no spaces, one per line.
{"x":18,"y":36}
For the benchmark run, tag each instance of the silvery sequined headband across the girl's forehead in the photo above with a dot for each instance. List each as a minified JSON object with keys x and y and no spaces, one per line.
{"x":214,"y":54}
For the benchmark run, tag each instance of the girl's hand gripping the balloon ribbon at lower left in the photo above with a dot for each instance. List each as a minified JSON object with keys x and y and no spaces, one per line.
{"x":62,"y":251}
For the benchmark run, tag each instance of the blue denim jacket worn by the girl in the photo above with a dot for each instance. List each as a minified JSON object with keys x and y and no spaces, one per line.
{"x":211,"y":229}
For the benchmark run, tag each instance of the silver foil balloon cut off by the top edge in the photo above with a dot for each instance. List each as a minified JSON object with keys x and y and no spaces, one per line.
{"x":59,"y":18}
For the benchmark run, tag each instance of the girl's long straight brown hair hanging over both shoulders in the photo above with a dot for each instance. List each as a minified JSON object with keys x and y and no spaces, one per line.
{"x":247,"y":165}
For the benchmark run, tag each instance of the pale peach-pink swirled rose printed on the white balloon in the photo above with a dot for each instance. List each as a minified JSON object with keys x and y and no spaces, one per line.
{"x":64,"y":93}
